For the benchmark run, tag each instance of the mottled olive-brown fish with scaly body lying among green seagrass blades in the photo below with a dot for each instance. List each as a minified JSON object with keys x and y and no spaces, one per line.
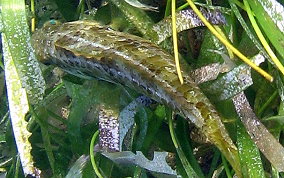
{"x":87,"y":48}
